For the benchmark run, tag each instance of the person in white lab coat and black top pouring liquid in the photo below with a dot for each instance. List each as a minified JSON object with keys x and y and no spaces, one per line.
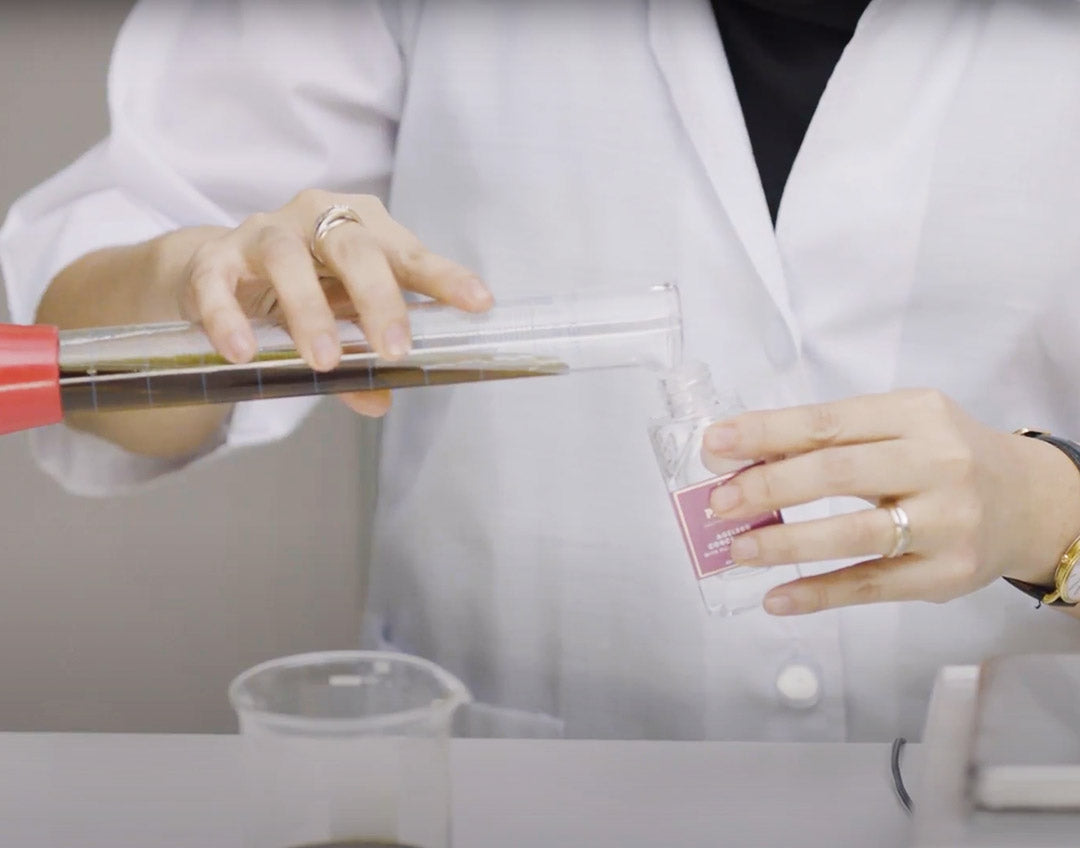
{"x":870,"y":209}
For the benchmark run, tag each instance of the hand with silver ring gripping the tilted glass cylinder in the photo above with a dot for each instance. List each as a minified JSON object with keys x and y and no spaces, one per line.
{"x":265,"y":267}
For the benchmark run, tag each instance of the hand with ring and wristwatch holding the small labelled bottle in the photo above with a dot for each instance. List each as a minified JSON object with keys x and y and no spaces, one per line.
{"x":981,"y":504}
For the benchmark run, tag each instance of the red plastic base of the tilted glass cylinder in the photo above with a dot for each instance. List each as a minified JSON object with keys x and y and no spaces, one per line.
{"x":30,"y":378}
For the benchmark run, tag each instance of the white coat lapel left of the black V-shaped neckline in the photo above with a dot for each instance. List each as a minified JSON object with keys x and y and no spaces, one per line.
{"x":687,"y":48}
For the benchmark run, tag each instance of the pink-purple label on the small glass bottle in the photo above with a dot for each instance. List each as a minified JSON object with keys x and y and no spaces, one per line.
{"x":708,"y":537}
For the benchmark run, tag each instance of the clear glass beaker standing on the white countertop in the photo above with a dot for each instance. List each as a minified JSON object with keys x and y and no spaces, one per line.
{"x":347,"y":748}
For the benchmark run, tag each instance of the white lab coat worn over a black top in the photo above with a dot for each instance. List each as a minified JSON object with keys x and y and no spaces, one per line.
{"x":928,"y":237}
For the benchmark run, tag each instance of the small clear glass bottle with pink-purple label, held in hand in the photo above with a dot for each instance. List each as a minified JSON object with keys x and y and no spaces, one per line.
{"x":693,"y":406}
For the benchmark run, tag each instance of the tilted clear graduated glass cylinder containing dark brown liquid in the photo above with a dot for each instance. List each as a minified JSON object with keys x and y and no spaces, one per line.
{"x":175,"y":365}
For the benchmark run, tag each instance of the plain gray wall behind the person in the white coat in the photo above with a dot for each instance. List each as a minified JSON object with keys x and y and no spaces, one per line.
{"x":133,"y":614}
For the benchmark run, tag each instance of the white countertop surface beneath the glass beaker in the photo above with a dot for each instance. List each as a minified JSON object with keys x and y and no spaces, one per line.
{"x":113,"y":791}
